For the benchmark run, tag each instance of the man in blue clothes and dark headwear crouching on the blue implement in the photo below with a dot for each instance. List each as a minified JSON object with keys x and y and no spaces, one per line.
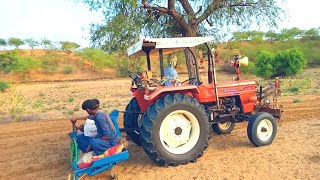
{"x":106,"y":136}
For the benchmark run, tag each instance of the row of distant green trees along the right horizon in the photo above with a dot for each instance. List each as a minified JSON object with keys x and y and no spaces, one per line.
{"x":283,"y":35}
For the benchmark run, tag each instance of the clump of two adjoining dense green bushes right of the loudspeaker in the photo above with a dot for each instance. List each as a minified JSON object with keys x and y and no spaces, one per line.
{"x":284,"y":63}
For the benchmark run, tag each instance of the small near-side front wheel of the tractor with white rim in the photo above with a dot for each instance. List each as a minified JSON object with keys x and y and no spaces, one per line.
{"x":262,"y":129}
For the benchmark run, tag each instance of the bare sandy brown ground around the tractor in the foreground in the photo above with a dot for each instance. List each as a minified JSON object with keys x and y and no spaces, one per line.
{"x":39,"y":150}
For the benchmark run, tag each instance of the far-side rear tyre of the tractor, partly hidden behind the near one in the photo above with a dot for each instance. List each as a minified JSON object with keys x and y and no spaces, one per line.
{"x":130,"y":120}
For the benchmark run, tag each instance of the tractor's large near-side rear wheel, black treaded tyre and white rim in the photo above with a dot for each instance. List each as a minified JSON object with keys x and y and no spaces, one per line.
{"x":175,"y":130}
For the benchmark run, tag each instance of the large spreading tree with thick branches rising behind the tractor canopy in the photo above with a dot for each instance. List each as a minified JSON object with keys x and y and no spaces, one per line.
{"x":188,"y":18}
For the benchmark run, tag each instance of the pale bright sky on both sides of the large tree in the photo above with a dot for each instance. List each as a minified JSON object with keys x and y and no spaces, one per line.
{"x":64,"y":20}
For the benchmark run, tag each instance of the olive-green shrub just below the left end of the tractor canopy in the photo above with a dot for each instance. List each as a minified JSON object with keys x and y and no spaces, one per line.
{"x":125,"y":66}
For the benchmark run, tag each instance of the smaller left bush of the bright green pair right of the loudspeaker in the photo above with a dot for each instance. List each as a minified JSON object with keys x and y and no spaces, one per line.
{"x":265,"y":64}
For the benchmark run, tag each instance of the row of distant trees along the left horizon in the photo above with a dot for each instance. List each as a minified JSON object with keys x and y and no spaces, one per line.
{"x":43,"y":44}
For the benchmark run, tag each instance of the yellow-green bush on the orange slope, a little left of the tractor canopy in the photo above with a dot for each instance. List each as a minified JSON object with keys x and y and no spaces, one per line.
{"x":99,"y":58}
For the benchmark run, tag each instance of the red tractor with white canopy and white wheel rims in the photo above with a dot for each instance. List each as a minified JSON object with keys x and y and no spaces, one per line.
{"x":172,"y":123}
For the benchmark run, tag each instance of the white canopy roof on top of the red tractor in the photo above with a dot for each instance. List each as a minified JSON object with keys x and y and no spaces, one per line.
{"x":168,"y":45}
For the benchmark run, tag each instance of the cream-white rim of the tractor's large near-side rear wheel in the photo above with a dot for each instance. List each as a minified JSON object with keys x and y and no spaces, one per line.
{"x":179,"y":132}
